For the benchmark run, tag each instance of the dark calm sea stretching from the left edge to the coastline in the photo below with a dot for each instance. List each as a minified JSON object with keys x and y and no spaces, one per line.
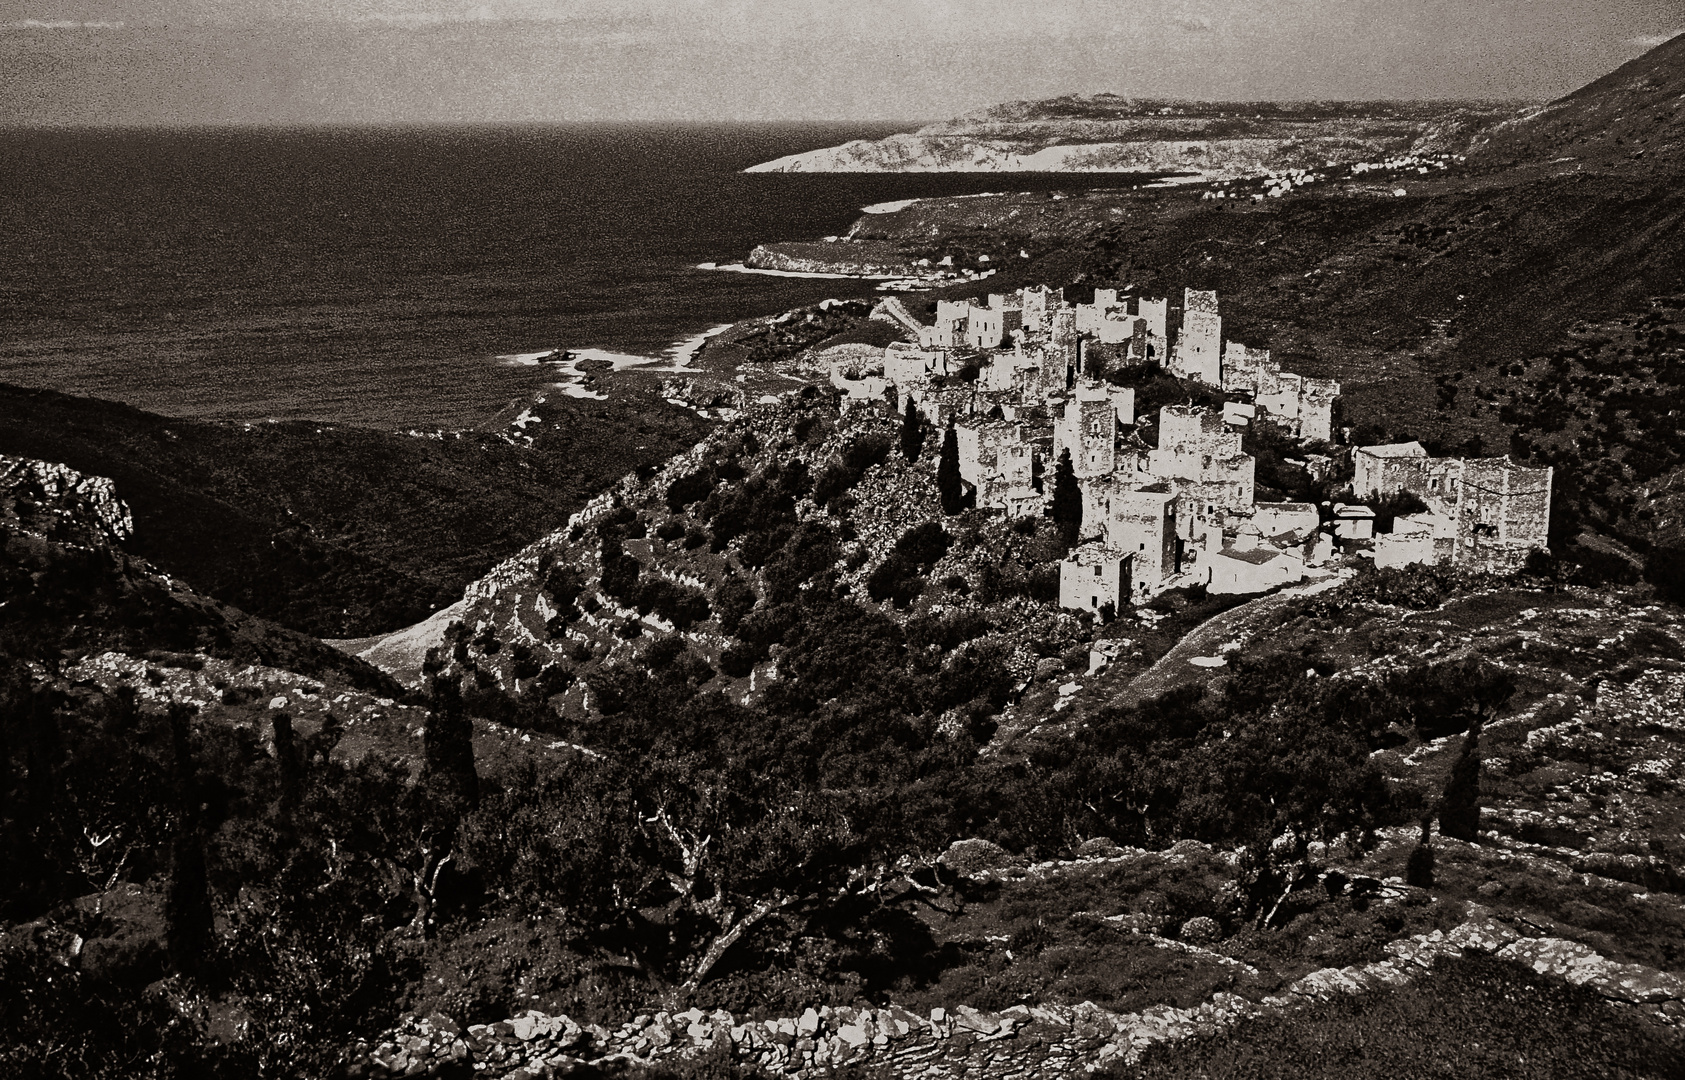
{"x":377,"y":275}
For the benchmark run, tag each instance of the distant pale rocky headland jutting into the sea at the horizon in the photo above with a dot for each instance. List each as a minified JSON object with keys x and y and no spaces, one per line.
{"x":1111,"y":134}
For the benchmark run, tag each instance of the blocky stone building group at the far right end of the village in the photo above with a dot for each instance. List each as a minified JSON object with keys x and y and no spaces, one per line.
{"x":1499,"y":513}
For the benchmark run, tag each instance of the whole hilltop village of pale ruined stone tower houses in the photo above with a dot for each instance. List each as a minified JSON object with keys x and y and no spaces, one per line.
{"x":1170,"y":501}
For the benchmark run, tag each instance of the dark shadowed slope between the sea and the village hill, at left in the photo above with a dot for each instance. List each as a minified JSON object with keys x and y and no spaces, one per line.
{"x":340,"y":532}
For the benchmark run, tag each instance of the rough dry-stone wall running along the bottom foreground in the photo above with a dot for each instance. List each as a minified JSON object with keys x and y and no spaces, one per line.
{"x":966,"y":1042}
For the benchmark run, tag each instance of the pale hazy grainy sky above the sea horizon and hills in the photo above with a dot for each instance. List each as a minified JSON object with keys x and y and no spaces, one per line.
{"x":331,"y":61}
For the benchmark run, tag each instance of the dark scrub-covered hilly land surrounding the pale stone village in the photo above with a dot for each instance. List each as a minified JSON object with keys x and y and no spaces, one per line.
{"x":725,"y":749}
